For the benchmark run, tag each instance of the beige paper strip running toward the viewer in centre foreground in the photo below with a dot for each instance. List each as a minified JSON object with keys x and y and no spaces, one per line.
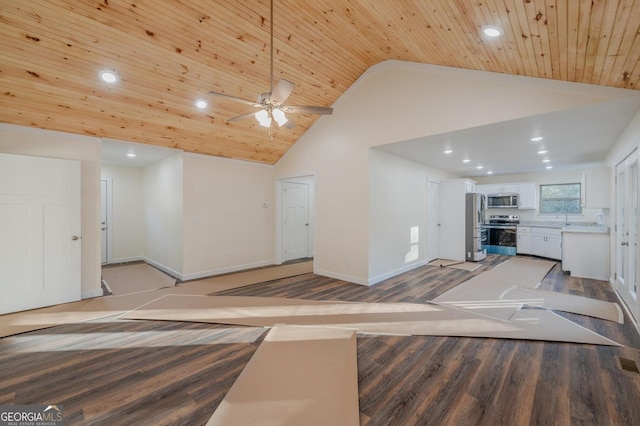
{"x":298,"y":376}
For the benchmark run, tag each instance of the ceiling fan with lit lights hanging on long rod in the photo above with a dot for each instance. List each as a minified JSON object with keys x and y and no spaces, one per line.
{"x":271,"y":104}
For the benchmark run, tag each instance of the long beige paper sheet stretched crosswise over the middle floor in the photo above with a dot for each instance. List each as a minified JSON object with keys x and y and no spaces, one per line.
{"x":370,"y":318}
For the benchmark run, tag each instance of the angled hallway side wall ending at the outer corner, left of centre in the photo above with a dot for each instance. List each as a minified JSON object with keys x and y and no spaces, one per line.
{"x":163,"y":206}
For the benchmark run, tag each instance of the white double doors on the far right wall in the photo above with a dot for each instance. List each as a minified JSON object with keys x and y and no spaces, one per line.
{"x":627,"y":253}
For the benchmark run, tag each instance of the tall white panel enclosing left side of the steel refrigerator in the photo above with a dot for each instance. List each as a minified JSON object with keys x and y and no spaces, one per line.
{"x":452,"y":218}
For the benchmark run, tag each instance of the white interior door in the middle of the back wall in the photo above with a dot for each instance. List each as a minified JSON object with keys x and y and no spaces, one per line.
{"x":295,"y":226}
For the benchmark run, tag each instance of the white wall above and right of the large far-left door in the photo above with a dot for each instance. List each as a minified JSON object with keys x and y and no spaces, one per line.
{"x":44,"y":143}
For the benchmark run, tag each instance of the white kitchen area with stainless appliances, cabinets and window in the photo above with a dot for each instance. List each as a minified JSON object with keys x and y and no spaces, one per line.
{"x":507,"y":219}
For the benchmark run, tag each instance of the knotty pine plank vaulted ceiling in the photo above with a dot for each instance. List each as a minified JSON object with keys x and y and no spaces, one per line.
{"x":170,"y":52}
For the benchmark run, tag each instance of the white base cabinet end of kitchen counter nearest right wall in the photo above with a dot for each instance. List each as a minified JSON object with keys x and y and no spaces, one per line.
{"x":586,"y":255}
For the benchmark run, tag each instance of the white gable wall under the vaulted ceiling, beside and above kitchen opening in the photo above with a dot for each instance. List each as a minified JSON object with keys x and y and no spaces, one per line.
{"x":391,"y":102}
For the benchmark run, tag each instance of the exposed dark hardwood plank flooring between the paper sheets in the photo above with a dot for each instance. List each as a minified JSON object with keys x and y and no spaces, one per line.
{"x":113,"y":372}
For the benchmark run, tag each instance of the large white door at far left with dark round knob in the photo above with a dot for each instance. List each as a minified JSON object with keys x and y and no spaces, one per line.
{"x":40,"y":248}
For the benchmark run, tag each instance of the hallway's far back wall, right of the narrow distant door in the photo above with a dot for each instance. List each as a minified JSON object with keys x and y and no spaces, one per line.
{"x":127,"y":225}
